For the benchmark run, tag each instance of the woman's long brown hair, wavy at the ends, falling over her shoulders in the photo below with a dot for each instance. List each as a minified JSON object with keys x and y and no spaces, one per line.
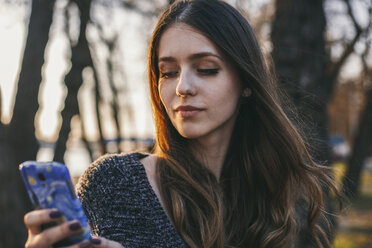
{"x":267,"y":169}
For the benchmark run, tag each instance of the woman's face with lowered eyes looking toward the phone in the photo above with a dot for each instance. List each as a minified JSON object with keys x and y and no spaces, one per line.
{"x":198,"y":88}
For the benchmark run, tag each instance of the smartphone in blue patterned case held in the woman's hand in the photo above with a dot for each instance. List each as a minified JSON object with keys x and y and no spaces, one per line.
{"x":49,"y":185}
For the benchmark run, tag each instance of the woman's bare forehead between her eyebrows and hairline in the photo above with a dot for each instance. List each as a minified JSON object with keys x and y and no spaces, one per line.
{"x":181,"y":40}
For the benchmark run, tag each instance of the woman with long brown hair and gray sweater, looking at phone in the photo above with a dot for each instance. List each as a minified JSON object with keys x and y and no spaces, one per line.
{"x":228,"y":167}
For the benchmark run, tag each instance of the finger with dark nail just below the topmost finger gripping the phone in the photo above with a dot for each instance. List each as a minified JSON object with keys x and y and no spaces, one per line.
{"x":57,"y":233}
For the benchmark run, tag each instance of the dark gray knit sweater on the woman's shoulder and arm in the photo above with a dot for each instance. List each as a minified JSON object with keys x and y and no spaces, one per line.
{"x":121,"y":205}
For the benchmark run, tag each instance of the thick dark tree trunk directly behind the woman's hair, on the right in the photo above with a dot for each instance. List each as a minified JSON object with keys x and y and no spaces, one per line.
{"x":300,"y":59}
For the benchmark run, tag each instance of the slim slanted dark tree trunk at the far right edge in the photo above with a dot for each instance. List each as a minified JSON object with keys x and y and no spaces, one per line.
{"x":362,"y":148}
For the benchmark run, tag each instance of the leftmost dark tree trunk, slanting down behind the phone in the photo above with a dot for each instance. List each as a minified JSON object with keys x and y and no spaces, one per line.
{"x":18,"y":142}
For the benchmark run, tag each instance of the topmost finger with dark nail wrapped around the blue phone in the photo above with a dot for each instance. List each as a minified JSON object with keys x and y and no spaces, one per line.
{"x":34,"y":219}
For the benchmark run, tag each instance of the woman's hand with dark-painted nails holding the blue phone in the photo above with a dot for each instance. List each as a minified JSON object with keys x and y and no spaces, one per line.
{"x":38,"y":238}
